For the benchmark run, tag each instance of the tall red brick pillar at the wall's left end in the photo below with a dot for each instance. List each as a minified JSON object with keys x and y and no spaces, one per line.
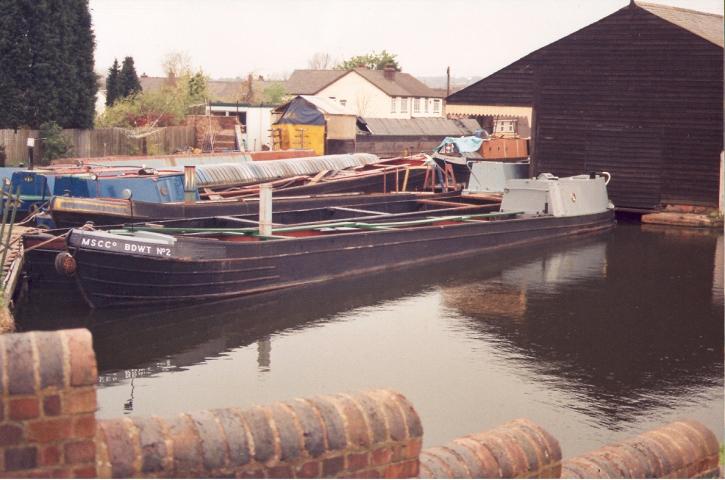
{"x":47,"y":414}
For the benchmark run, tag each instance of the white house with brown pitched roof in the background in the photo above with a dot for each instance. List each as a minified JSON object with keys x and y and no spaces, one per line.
{"x":370,"y":93}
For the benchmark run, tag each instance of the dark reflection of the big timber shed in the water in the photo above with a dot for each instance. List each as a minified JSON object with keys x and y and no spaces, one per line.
{"x":626,"y":324}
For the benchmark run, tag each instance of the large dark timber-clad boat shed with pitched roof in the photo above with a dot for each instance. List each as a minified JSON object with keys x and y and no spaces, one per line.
{"x":638,"y":93}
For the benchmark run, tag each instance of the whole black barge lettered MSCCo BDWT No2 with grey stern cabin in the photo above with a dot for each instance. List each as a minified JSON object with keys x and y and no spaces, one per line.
{"x":218,"y":258}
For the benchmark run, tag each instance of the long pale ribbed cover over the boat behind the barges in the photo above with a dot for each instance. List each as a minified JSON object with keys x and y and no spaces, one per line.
{"x":229,"y":174}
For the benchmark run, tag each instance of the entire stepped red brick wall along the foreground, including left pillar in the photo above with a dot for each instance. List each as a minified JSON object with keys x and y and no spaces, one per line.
{"x":48,"y":429}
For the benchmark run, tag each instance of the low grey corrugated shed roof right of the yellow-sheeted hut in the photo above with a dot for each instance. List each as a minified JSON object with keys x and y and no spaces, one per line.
{"x":436,"y":126}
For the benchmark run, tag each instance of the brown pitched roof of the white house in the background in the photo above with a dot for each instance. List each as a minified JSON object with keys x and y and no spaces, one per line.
{"x":310,"y":82}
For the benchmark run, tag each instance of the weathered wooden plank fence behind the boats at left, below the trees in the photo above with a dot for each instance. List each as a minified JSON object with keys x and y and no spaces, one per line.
{"x":99,"y":142}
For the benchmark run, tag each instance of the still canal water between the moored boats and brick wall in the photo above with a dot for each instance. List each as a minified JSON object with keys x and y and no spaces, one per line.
{"x":594,"y":339}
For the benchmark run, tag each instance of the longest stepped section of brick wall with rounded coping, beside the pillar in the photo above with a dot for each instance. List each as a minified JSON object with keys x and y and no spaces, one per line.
{"x":370,"y":434}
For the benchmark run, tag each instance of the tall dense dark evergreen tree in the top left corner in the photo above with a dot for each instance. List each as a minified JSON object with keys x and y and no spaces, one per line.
{"x":47,"y":73}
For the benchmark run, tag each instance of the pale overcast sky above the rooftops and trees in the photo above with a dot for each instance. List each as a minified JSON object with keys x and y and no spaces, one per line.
{"x":229,"y":38}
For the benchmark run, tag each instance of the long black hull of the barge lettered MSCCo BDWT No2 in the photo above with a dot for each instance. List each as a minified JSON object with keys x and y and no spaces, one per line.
{"x":196,"y":269}
